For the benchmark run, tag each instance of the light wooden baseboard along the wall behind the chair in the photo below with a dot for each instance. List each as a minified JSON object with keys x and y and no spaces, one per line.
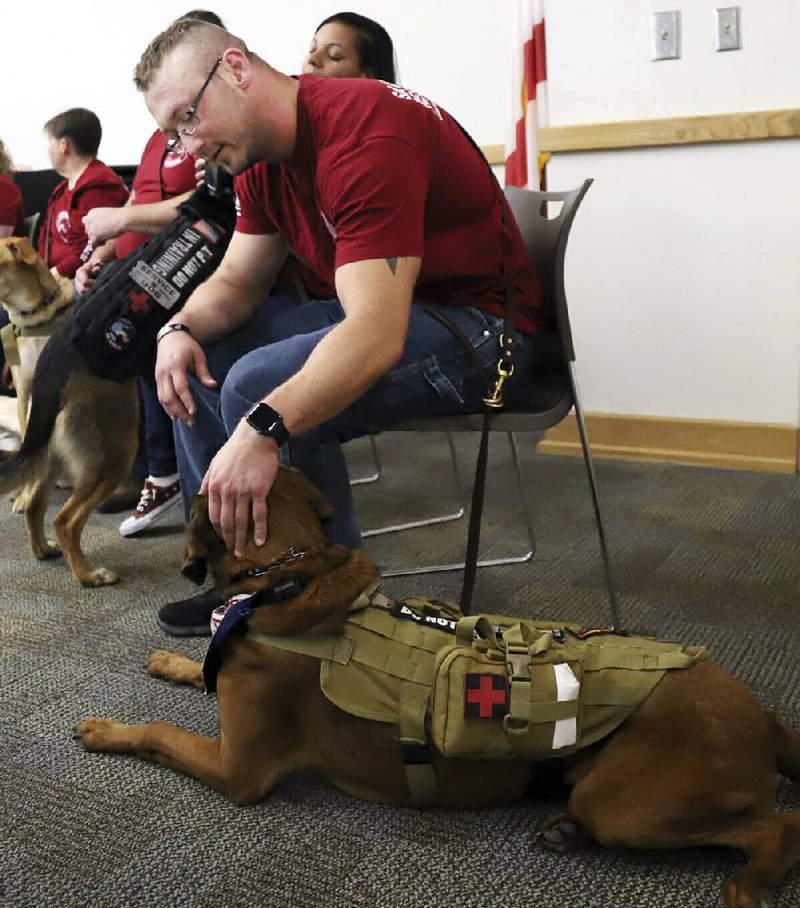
{"x":713,"y":443}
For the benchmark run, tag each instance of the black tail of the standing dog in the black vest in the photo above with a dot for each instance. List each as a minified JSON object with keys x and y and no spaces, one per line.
{"x":50,"y":378}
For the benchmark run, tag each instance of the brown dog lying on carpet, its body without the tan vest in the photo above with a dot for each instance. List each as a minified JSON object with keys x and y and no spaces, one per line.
{"x":695,"y":764}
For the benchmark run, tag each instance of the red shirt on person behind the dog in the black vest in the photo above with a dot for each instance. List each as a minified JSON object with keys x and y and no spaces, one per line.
{"x":161,"y":174}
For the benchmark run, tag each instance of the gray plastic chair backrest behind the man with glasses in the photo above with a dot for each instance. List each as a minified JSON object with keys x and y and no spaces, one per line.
{"x":545,"y":241}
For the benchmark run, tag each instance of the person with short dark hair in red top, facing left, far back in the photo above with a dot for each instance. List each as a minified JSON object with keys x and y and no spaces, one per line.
{"x":73,"y":138}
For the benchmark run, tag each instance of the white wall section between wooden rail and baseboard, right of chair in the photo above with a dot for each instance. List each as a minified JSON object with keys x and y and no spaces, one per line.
{"x":684,"y":281}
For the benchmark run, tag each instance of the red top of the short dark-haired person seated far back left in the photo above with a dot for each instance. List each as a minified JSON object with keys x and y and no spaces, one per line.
{"x":63,"y":237}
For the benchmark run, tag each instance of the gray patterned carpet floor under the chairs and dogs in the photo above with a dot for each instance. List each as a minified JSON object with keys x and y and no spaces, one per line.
{"x":704,"y":556}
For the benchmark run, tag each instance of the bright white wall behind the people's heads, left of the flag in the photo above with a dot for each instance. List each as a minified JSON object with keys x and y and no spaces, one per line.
{"x":81,"y":53}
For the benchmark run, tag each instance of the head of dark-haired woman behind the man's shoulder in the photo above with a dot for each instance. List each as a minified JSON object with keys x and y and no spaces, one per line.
{"x":350,"y":45}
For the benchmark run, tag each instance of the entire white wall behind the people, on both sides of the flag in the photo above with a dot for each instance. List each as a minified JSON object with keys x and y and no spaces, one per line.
{"x":684,"y":272}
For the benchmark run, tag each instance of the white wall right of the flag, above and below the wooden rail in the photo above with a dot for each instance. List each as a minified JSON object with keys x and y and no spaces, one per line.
{"x":684,"y":268}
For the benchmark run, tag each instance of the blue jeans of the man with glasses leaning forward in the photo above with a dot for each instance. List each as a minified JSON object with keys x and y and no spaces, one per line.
{"x":435,"y":376}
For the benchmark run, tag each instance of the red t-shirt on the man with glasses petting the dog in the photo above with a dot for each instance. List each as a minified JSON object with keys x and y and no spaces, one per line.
{"x":380,"y":171}
